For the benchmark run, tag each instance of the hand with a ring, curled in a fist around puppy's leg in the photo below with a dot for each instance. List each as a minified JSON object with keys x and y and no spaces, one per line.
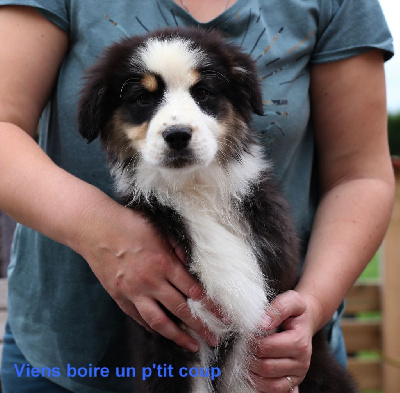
{"x":286,"y":353}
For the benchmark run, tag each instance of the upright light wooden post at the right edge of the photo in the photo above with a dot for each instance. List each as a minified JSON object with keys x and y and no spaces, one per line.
{"x":391,"y":310}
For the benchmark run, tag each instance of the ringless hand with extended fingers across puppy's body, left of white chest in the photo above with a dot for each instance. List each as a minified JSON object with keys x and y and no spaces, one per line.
{"x":143,"y":274}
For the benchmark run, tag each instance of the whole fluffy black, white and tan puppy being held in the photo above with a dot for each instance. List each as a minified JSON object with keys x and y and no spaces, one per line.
{"x":173,"y":110}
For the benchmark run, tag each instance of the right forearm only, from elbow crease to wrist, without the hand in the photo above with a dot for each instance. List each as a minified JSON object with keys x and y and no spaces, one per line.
{"x":350,"y":224}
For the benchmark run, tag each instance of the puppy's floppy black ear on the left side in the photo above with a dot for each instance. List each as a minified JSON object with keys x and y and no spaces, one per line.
{"x":92,"y":113}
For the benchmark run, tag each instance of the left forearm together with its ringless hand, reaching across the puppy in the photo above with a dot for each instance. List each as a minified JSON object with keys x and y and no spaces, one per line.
{"x":135,"y":265}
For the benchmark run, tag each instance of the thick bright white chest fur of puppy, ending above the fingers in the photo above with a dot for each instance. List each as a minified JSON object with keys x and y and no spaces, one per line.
{"x":224,"y":261}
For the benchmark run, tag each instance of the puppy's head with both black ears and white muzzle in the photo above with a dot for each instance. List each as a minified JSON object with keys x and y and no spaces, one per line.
{"x":176,"y":98}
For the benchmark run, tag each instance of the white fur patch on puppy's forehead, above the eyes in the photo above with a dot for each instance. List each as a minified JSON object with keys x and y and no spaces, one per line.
{"x":172,"y":59}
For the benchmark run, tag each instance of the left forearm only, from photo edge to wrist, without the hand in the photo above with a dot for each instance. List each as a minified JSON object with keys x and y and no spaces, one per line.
{"x":39,"y":194}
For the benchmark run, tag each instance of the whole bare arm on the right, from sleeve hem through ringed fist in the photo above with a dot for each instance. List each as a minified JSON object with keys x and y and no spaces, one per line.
{"x":357,"y":186}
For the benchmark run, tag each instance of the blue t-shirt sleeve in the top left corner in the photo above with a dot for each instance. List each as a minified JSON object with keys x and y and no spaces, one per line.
{"x":56,"y":11}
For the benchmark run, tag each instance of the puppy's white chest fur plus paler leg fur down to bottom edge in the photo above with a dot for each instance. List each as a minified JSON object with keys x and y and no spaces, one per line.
{"x":223,"y":259}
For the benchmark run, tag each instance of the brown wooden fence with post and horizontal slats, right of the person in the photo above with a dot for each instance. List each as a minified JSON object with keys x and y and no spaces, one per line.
{"x":377,"y":338}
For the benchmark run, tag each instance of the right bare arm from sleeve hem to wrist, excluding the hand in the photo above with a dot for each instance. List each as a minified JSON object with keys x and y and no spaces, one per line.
{"x":356,"y":178}
